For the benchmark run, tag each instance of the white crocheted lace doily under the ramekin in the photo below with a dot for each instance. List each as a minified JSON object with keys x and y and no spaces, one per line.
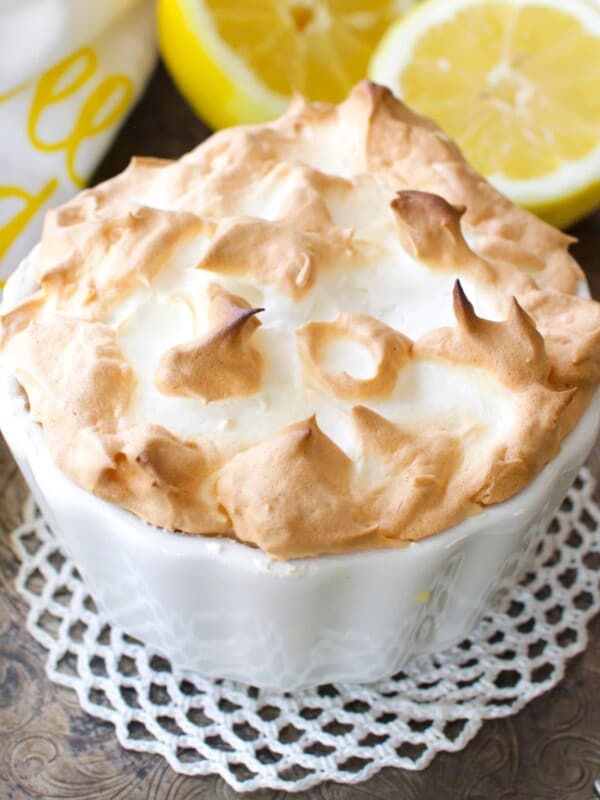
{"x":257,"y":739}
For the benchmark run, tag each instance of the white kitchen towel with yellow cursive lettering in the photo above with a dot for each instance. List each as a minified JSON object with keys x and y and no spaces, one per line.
{"x":70,"y":70}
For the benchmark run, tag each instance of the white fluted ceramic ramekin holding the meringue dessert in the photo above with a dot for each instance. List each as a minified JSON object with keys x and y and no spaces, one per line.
{"x":224,"y":609}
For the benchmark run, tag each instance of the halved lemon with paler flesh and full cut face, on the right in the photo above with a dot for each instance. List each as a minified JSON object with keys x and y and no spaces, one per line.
{"x":517,"y":84}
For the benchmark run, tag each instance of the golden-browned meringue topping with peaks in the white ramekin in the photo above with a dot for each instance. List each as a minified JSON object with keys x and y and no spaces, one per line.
{"x":160,"y":388}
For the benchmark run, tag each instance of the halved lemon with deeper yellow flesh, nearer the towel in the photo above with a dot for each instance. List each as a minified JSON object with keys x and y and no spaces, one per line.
{"x":240,"y":60}
